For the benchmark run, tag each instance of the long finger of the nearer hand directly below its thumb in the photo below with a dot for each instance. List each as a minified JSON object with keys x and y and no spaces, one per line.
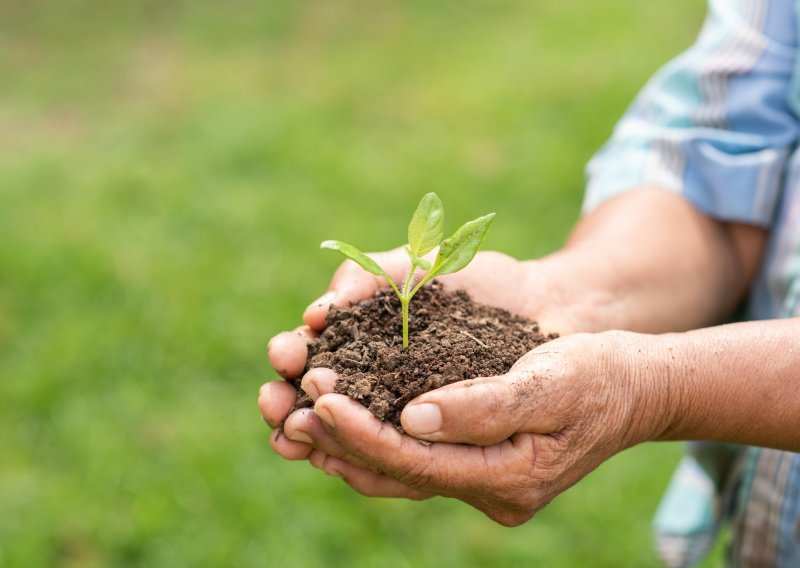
{"x":439,"y":468}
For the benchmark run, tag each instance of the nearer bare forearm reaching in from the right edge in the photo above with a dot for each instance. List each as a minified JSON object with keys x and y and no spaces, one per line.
{"x":737,"y":383}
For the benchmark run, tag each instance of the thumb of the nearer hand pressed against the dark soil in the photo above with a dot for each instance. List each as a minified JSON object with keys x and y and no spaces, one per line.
{"x":481,"y":411}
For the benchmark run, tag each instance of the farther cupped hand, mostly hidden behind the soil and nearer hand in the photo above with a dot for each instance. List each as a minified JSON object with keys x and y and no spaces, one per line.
{"x":492,"y":278}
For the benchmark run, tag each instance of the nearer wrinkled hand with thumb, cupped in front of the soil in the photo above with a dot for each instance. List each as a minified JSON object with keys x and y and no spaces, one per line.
{"x":506,"y":445}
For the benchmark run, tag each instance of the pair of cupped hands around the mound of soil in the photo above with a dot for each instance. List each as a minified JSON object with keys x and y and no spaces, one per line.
{"x":506,"y":445}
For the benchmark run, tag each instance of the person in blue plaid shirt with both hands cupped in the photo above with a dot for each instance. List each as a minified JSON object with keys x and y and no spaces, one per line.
{"x":692,"y":210}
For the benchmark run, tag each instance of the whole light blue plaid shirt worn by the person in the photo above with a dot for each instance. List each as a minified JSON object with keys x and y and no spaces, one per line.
{"x":719,"y":125}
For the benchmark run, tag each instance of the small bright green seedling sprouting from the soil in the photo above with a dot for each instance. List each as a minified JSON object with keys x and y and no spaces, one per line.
{"x":425,"y":233}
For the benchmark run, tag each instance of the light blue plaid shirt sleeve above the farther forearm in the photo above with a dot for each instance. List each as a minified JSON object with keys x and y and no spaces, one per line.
{"x":718,"y":123}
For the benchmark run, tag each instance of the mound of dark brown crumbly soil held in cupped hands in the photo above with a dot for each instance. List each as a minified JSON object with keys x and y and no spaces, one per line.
{"x":451,"y":338}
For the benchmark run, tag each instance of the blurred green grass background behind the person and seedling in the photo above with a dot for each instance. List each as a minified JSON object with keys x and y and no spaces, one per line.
{"x":167,"y":170}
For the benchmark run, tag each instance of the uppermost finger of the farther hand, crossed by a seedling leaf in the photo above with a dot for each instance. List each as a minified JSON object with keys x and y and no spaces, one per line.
{"x":352,"y":284}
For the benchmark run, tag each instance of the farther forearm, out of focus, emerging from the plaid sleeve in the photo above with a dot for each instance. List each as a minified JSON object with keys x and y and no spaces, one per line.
{"x":648,"y":261}
